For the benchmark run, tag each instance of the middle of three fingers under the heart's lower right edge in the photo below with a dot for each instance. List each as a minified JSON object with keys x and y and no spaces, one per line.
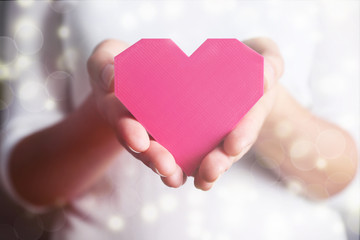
{"x":214,"y":164}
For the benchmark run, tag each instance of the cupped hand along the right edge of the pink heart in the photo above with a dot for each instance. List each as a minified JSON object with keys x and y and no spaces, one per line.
{"x":244,"y":135}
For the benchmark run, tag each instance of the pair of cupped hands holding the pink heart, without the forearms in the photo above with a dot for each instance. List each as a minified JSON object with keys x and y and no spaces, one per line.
{"x":133,"y":136}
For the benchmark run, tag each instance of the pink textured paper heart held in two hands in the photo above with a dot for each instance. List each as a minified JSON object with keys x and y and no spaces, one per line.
{"x":188,"y":104}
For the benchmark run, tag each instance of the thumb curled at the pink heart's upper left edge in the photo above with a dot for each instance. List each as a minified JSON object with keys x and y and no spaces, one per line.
{"x":100,"y":64}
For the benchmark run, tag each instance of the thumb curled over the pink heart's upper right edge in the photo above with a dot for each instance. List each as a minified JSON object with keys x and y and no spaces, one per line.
{"x":273,"y":60}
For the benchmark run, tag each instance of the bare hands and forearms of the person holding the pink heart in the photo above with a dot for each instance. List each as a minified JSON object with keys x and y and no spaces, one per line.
{"x":57,"y":164}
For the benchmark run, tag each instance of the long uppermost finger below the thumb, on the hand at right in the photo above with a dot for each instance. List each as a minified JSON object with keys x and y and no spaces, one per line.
{"x":244,"y":135}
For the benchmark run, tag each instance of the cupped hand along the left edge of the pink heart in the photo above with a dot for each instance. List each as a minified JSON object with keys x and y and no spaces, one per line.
{"x":130,"y":133}
